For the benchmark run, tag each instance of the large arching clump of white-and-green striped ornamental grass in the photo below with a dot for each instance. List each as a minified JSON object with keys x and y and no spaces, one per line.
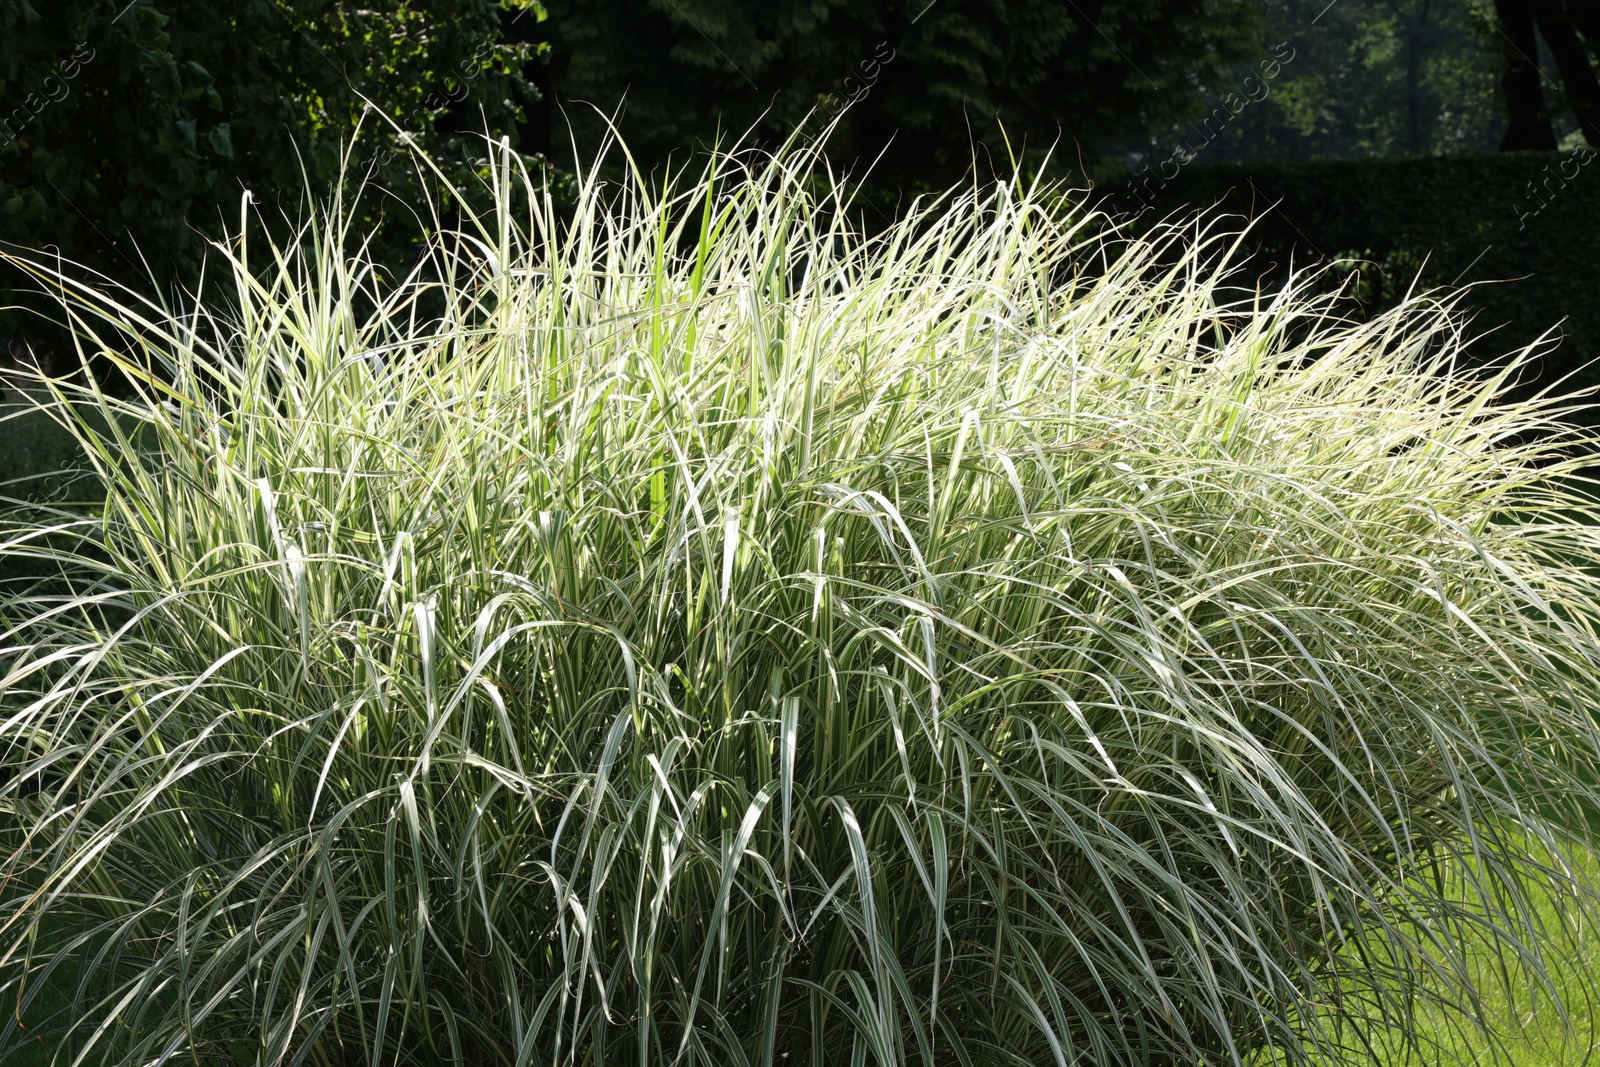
{"x":682,"y":629}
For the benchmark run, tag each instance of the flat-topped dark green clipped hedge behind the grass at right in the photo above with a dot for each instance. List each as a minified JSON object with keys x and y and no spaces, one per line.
{"x":1463,"y":220}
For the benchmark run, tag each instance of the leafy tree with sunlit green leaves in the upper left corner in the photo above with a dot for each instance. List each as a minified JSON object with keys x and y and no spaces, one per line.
{"x":130,"y":130}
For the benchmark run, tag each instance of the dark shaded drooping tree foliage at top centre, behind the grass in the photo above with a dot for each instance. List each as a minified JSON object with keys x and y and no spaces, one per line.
{"x":927,"y":84}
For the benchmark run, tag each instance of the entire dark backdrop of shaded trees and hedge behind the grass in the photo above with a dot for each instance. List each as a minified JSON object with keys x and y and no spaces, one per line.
{"x":1436,"y":138}
